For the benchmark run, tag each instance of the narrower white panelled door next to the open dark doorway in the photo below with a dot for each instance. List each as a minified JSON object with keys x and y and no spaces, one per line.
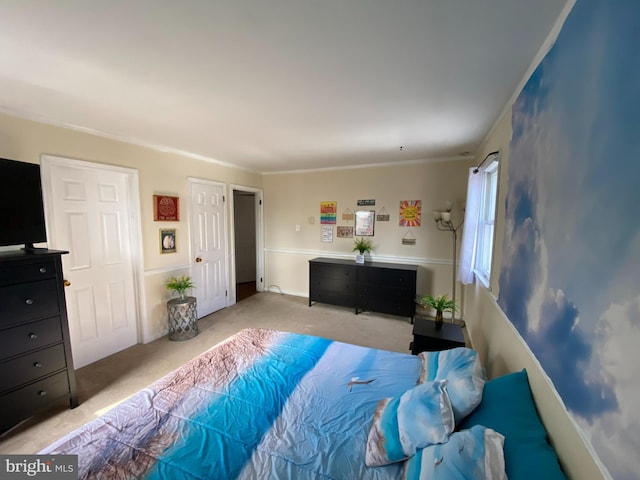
{"x":208,"y":245}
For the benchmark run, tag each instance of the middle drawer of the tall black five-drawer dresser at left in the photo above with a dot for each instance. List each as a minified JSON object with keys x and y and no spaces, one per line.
{"x":30,"y":336}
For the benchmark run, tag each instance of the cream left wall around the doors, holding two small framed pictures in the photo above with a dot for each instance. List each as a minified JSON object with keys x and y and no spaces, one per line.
{"x":159,"y":173}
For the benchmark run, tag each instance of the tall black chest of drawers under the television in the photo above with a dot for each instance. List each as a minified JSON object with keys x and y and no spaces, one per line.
{"x":35,"y":351}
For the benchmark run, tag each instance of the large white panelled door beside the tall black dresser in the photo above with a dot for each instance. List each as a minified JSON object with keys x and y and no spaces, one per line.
{"x":89,"y":216}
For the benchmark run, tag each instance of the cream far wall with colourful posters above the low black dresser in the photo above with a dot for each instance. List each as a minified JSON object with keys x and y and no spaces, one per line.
{"x":294,"y":198}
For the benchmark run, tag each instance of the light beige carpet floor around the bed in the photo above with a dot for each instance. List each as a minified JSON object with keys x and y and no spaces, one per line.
{"x":107,"y":382}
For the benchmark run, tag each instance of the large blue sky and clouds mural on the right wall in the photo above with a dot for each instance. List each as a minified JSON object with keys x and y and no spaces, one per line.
{"x":570,"y":274}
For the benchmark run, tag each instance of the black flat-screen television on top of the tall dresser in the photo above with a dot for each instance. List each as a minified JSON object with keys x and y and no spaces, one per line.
{"x":21,"y":207}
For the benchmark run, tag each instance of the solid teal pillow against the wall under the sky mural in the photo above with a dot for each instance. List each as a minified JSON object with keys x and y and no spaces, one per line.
{"x":507,"y":407}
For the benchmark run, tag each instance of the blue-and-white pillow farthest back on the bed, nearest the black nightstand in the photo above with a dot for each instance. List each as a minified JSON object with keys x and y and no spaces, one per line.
{"x":464,"y":374}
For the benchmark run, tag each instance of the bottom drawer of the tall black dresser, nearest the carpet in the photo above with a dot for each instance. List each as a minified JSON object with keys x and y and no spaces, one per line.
{"x":24,"y":402}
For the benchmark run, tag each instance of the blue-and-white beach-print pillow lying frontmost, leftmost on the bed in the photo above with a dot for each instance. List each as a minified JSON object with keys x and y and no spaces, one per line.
{"x":401,"y":425}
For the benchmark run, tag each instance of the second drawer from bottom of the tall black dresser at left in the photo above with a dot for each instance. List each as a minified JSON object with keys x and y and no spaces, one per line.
{"x":32,"y":366}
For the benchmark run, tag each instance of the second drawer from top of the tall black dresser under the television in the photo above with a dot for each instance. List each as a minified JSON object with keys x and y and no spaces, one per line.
{"x":28,"y":301}
